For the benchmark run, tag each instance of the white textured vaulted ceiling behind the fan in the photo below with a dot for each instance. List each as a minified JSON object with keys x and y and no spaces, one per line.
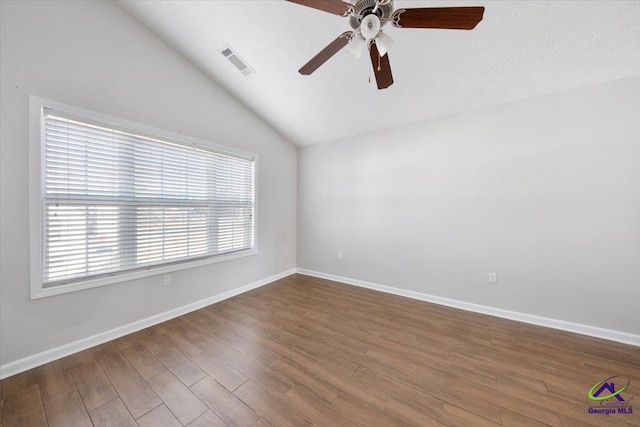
{"x":521,"y":49}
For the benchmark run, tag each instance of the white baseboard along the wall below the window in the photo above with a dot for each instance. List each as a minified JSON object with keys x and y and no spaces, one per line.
{"x":47,"y":356}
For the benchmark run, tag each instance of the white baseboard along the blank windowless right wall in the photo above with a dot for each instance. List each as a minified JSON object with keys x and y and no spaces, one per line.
{"x":593,"y":331}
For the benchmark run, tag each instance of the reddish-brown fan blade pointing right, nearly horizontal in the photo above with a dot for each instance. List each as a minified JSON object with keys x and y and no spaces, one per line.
{"x":453,"y":18}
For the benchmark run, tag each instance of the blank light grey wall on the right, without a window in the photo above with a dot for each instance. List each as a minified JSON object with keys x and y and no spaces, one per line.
{"x":545,"y":192}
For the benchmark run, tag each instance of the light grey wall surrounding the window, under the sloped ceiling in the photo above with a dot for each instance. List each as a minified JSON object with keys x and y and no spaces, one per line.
{"x":95,"y":56}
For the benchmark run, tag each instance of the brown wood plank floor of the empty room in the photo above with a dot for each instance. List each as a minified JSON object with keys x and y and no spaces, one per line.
{"x":305,"y":351}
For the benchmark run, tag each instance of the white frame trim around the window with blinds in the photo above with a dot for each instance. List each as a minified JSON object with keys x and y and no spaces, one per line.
{"x":36,"y":199}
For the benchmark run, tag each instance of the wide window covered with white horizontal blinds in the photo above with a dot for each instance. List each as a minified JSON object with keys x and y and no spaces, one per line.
{"x":117,"y":201}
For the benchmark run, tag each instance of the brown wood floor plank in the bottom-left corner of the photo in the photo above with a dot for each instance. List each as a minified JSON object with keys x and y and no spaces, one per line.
{"x":24,"y":407}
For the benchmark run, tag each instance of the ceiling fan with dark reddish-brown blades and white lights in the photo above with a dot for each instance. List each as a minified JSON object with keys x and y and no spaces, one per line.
{"x":367,"y":17}
